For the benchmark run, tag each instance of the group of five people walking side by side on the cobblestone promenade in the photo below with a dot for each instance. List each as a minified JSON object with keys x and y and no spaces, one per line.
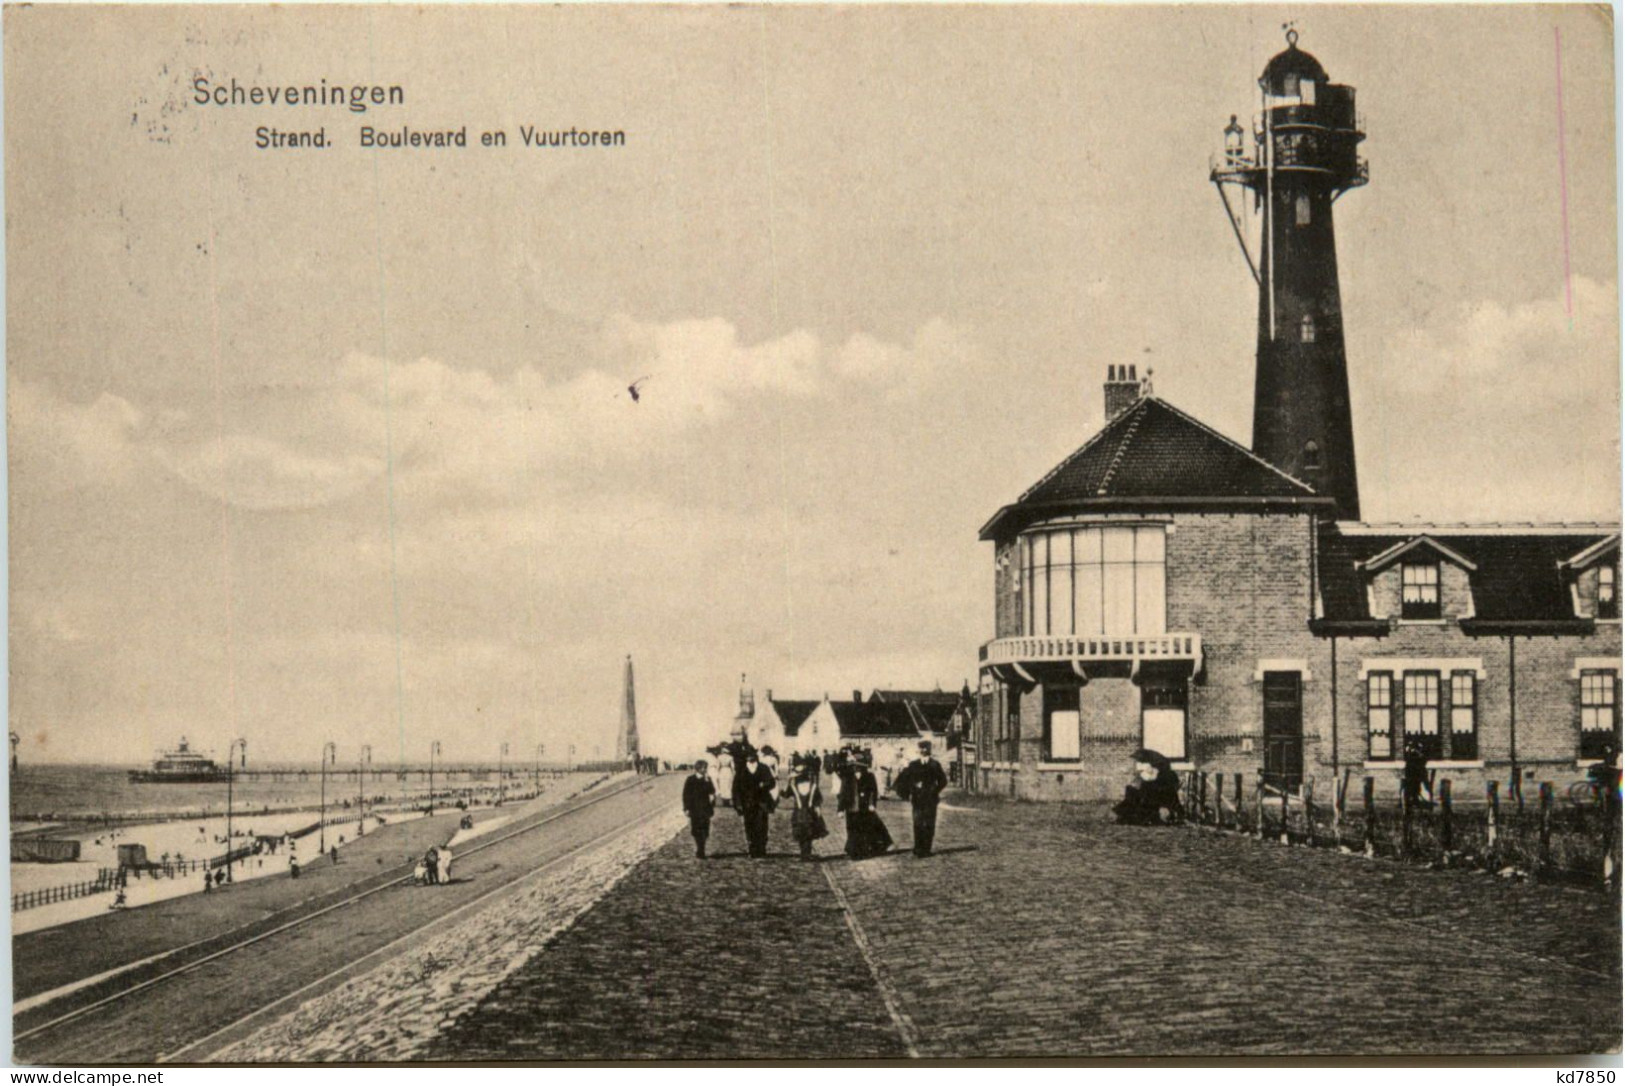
{"x":756,"y":796}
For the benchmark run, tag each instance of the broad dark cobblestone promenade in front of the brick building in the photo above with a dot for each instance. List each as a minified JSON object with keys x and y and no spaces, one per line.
{"x":1044,"y":931}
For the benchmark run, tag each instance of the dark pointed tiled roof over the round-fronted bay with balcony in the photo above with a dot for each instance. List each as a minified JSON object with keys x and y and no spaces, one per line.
{"x":1155,"y":453}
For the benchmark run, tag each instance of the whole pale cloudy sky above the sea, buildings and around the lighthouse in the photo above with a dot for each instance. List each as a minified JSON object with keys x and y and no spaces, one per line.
{"x":336,"y":443}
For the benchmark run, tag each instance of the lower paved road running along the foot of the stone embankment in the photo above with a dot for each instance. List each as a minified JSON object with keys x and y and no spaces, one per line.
{"x":311,"y":957}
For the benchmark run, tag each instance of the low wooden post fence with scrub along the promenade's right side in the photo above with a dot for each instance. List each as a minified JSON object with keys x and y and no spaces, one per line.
{"x":1566,"y":832}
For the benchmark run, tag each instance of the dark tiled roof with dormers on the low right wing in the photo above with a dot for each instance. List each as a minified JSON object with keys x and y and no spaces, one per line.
{"x":1517,"y":576}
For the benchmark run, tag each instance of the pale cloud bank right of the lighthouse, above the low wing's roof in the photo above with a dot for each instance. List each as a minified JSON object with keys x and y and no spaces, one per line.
{"x":1497,"y":414}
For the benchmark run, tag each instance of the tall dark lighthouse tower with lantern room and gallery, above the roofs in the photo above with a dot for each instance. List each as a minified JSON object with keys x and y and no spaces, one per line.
{"x":1302,"y":155}
